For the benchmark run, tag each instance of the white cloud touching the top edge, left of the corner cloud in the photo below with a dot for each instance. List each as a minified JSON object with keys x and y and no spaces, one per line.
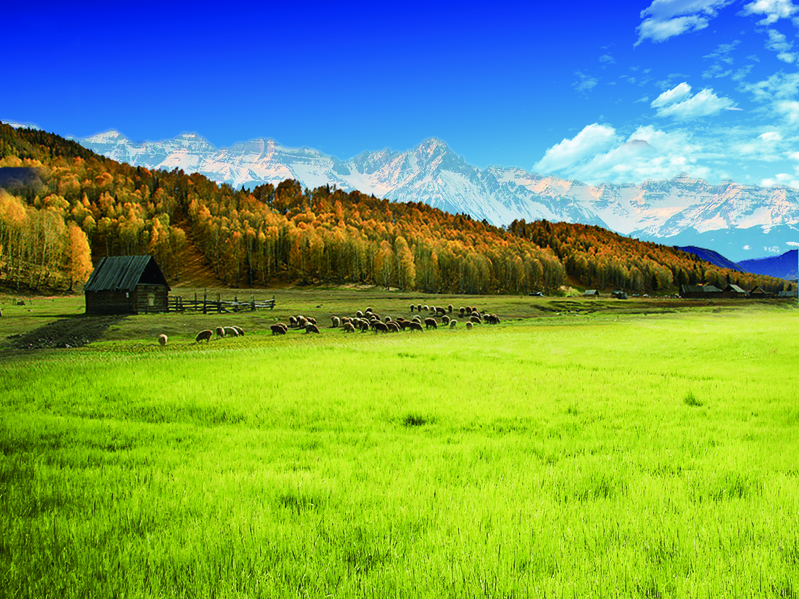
{"x":664,"y":19}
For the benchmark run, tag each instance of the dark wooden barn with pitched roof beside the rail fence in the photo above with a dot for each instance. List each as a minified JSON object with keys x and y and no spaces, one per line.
{"x":126,"y":285}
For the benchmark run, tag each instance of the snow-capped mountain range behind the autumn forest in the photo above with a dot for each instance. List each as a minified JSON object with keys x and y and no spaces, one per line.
{"x":432,"y":173}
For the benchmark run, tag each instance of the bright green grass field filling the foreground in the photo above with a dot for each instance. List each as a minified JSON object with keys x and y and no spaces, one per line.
{"x":639,"y":450}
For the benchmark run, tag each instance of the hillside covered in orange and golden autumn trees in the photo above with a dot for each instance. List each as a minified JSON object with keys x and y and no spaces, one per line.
{"x":86,"y":203}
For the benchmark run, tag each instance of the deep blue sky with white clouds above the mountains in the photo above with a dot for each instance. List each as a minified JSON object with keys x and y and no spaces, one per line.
{"x":589,"y":90}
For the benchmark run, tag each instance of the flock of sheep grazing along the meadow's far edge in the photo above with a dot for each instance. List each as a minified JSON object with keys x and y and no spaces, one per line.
{"x":366,"y":320}
